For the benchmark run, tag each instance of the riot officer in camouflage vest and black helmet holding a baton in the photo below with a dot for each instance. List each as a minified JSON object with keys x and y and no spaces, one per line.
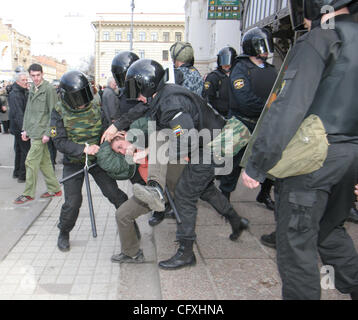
{"x":76,"y":129}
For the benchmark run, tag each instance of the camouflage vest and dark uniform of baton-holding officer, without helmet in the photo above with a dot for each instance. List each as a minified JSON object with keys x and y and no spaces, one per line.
{"x":70,"y":130}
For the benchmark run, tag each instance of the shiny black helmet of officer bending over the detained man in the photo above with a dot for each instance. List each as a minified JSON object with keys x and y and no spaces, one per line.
{"x":144,"y":77}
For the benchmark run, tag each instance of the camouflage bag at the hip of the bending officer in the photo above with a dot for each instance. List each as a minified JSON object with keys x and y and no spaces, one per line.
{"x":233,"y":137}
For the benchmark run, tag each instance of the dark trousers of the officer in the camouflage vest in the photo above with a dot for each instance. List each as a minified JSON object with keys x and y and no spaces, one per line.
{"x":73,"y":193}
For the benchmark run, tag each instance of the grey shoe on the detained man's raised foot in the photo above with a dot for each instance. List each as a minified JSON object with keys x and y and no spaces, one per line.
{"x":151,"y":194}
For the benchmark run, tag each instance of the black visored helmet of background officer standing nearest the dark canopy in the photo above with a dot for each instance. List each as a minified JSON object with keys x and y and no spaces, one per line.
{"x":257,"y":41}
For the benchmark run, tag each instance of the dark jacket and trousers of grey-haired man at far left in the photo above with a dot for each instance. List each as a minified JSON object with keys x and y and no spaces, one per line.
{"x":17,"y":102}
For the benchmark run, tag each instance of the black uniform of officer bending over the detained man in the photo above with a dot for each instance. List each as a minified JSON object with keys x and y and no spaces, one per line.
{"x":177,"y":108}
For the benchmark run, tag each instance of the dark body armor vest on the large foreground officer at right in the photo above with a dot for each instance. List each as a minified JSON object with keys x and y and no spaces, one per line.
{"x":336,"y":101}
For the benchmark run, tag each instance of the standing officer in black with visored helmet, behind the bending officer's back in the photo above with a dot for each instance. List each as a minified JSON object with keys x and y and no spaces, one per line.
{"x":251,"y":82}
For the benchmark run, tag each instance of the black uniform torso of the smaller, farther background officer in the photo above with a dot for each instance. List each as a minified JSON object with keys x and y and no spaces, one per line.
{"x":217,"y":91}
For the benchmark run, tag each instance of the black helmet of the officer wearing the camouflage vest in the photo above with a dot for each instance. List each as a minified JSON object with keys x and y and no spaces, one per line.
{"x":75,"y":89}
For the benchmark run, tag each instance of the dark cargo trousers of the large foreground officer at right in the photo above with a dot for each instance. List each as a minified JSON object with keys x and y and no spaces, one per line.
{"x":310,"y":212}
